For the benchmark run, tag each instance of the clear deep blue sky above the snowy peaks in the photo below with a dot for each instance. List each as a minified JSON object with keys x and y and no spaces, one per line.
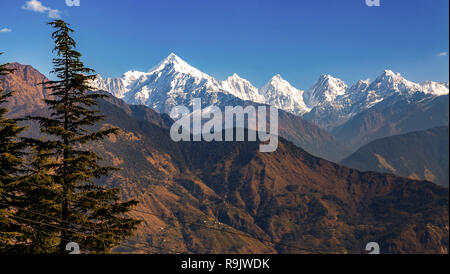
{"x":255,"y":38}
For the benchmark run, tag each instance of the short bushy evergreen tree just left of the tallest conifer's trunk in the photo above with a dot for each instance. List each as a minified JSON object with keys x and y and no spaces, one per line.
{"x":38,"y":206}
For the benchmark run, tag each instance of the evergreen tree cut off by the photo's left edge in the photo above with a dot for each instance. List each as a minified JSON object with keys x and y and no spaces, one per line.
{"x":10,"y":169}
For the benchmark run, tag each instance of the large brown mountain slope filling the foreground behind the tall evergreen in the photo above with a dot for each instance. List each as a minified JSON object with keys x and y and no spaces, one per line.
{"x":289,"y":201}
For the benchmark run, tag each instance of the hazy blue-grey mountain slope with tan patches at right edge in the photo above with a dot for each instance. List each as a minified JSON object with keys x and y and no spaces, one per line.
{"x":417,"y":155}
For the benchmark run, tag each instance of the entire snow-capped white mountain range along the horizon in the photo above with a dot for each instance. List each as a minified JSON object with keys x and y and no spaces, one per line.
{"x":329,"y":103}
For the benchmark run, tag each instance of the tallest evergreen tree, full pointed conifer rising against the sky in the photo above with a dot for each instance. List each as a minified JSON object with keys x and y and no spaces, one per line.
{"x":89,"y":214}
